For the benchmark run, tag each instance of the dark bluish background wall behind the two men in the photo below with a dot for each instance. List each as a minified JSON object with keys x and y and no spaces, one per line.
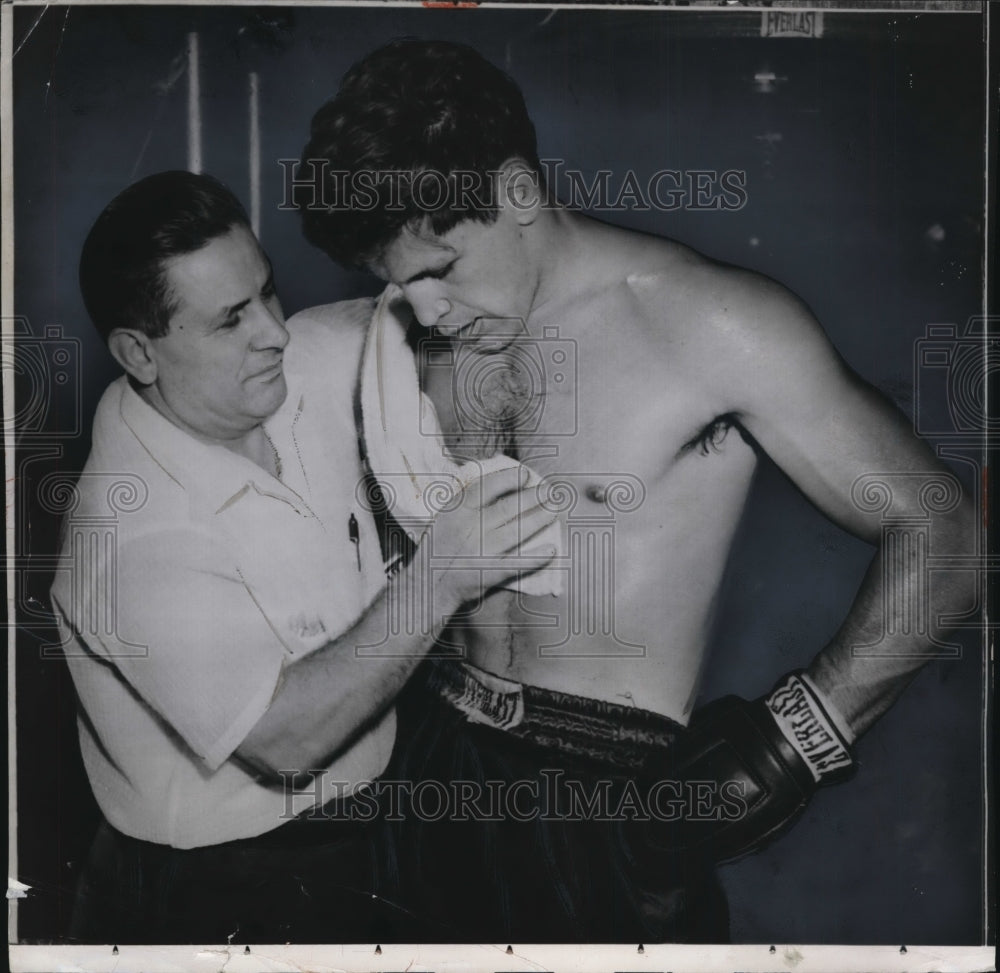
{"x":864,"y":172}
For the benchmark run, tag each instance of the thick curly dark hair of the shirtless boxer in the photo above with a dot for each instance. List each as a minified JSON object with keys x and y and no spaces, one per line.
{"x":416,"y":131}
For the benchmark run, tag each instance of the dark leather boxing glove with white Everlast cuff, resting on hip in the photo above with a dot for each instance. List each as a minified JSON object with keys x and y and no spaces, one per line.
{"x":746,"y":770}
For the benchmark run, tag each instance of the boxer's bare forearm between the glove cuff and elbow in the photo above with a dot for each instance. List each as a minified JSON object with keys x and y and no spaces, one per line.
{"x":879,"y":649}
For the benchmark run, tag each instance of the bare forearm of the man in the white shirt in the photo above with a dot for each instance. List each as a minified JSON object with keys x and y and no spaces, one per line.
{"x":327,"y":698}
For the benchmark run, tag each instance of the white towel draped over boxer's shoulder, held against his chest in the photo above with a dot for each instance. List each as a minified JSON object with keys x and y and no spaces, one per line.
{"x":405,"y":444}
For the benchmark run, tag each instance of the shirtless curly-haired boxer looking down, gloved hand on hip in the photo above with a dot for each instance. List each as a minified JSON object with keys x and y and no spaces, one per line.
{"x":684,"y":370}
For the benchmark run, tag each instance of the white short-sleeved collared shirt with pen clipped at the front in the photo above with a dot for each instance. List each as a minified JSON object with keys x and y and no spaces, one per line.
{"x":180,"y":606}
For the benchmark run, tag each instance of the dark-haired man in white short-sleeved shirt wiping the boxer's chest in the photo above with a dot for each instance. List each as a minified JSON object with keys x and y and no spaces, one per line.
{"x":231,"y":722}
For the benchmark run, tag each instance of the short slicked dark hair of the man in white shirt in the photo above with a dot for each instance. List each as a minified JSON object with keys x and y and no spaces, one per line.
{"x":122,"y":264}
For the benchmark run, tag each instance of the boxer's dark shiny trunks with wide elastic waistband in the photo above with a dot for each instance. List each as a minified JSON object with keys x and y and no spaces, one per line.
{"x":524,"y":818}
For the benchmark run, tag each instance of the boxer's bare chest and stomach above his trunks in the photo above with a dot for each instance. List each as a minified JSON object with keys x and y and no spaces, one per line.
{"x":648,"y":479}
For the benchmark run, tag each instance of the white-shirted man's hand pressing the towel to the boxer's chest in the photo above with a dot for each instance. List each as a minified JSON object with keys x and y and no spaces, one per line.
{"x":485,"y":540}
